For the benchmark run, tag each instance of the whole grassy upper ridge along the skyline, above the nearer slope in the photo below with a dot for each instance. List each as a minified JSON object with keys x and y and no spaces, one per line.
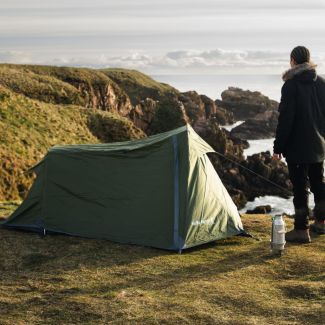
{"x":67,"y":85}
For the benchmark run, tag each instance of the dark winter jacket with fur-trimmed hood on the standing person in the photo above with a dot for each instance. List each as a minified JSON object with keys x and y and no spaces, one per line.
{"x":301,"y":125}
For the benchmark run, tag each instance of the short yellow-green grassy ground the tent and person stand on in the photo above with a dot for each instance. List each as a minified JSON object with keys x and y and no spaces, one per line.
{"x":69,"y":280}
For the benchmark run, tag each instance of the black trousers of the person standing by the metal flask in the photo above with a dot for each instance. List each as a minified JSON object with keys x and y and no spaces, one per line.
{"x":303,"y":176}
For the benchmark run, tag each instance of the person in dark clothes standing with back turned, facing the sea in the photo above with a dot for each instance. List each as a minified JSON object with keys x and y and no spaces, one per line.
{"x":300,"y":139}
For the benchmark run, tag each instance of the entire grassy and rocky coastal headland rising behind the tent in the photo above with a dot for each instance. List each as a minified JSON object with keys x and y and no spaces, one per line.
{"x":41,"y":106}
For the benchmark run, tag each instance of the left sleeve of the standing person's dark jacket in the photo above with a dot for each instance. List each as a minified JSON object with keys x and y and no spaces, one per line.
{"x":287,"y":110}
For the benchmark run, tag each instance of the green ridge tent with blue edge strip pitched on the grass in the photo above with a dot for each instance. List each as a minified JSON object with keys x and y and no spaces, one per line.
{"x":161,"y":191}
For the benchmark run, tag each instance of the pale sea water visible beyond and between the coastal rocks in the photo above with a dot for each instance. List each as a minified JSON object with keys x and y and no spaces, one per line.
{"x":212,"y":86}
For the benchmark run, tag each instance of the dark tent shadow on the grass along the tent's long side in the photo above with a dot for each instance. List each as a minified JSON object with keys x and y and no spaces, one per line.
{"x":61,"y":253}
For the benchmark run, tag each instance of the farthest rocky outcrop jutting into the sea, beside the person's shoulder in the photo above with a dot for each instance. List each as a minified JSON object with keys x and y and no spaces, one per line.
{"x":245,"y":104}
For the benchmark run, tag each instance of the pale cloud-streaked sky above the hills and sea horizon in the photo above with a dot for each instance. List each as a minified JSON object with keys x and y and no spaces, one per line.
{"x":163,"y":36}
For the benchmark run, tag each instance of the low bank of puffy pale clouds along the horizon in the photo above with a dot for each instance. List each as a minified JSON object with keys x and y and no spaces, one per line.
{"x":178,"y":62}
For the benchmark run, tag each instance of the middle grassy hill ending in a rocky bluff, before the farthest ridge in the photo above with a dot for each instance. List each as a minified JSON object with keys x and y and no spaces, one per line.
{"x":61,"y":85}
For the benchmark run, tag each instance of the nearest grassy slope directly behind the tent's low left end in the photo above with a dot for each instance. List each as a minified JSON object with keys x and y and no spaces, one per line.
{"x":28,"y":128}
